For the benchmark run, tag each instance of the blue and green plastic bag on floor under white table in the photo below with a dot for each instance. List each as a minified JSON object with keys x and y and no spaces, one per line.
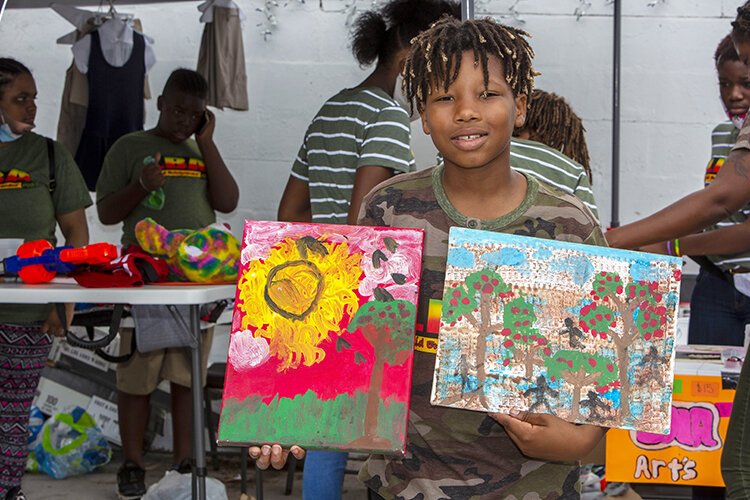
{"x":71,"y":444}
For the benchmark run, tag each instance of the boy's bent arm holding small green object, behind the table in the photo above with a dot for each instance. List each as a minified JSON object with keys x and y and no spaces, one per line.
{"x":113,"y":208}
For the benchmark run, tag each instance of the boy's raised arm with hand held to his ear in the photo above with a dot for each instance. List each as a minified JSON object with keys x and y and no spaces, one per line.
{"x":223,"y":193}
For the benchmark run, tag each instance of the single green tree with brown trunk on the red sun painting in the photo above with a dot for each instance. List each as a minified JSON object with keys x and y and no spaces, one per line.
{"x":388,"y":325}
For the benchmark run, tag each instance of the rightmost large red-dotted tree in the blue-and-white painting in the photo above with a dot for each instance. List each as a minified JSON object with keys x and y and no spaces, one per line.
{"x":623,"y":312}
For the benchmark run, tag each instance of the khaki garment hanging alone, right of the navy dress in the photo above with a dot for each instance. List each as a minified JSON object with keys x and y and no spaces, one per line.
{"x":221,"y":58}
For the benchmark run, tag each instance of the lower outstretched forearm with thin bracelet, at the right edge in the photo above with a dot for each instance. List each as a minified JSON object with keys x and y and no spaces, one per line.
{"x":724,"y":241}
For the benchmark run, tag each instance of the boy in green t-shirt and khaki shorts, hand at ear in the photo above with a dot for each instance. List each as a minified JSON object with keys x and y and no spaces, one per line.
{"x":179,"y":182}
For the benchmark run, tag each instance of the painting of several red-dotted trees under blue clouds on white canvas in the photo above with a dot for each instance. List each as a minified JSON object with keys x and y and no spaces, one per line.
{"x":579,"y":331}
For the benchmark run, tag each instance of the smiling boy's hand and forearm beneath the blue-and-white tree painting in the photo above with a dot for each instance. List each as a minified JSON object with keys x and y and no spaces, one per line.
{"x":547,"y":437}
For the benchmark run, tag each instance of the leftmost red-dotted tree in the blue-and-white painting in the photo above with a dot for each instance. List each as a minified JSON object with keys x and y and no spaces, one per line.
{"x":475,"y":299}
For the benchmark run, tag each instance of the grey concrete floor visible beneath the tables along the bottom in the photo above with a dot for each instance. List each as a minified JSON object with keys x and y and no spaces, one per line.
{"x":101,"y":485}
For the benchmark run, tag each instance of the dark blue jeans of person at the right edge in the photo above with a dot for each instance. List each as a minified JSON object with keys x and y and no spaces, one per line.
{"x":718,"y":312}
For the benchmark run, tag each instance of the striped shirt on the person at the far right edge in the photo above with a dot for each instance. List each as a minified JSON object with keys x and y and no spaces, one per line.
{"x":723,"y":139}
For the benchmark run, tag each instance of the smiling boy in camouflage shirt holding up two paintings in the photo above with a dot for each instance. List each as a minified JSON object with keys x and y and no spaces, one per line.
{"x":470,"y":81}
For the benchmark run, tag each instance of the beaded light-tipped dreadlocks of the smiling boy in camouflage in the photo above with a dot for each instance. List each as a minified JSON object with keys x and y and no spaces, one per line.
{"x":435,"y":56}
